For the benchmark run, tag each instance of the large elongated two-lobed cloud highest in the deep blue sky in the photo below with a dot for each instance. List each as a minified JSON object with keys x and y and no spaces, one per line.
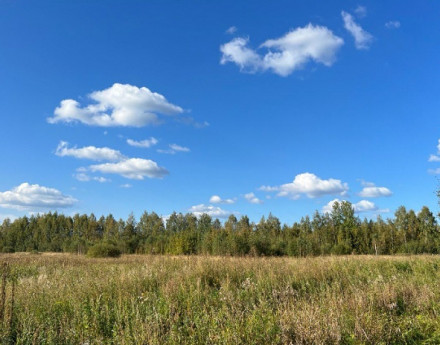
{"x":285,"y":54}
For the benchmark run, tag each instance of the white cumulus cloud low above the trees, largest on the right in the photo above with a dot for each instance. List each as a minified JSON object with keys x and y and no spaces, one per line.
{"x":309,"y":185}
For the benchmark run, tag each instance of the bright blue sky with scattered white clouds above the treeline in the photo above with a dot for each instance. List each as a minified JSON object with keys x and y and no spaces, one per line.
{"x":220,"y":107}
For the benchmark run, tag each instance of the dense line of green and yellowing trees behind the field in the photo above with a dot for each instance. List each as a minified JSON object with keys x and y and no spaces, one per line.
{"x":337,"y":232}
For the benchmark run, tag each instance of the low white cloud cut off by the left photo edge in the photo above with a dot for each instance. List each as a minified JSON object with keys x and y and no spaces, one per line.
{"x":33,"y":196}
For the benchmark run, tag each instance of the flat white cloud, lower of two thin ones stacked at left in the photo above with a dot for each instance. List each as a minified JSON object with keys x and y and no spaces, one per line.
{"x":132,"y":168}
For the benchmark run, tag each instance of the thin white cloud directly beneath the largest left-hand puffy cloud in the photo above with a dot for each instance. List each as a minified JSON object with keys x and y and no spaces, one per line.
{"x":89,"y":152}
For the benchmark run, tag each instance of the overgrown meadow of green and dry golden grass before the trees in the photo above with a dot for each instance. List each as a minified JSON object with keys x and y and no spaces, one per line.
{"x":68,"y":299}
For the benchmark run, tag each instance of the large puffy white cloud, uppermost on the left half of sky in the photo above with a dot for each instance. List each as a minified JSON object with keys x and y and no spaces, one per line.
{"x":119,"y":105}
